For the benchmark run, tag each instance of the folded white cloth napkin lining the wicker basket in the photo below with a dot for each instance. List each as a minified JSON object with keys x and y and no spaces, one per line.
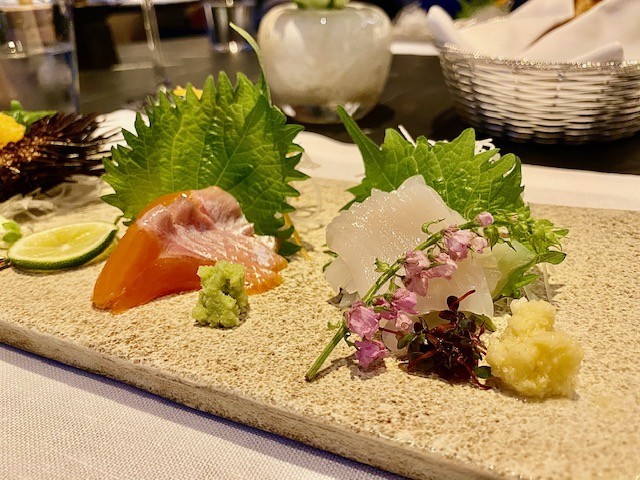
{"x":545,"y":30}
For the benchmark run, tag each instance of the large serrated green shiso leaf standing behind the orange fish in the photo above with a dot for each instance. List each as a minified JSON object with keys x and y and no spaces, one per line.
{"x":232,"y":138}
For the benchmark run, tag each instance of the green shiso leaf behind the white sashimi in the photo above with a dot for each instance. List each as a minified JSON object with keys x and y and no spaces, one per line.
{"x":467,"y":182}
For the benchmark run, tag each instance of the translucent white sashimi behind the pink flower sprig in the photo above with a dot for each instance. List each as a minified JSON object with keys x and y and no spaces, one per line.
{"x":387,"y":225}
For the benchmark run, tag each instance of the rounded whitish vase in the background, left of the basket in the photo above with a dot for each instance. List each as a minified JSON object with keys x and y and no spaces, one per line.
{"x":315,"y":60}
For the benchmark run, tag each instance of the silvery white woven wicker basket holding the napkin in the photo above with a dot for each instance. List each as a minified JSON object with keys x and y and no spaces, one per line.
{"x":544,"y":102}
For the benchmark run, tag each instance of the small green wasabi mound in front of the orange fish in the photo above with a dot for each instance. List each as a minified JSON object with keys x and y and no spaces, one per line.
{"x":222,"y":300}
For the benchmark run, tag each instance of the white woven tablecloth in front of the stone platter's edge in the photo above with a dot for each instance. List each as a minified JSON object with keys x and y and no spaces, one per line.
{"x":59,"y":423}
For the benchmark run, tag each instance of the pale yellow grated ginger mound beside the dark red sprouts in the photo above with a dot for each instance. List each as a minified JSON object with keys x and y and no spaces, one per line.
{"x":533,"y":358}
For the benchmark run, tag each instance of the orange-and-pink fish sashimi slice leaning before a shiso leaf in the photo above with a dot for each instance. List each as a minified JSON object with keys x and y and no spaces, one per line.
{"x":173,"y":236}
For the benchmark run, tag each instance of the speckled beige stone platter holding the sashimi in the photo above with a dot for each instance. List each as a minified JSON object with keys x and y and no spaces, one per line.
{"x":419,"y":427}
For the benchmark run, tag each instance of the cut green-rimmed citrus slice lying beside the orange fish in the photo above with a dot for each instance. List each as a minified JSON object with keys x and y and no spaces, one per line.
{"x":67,"y":246}
